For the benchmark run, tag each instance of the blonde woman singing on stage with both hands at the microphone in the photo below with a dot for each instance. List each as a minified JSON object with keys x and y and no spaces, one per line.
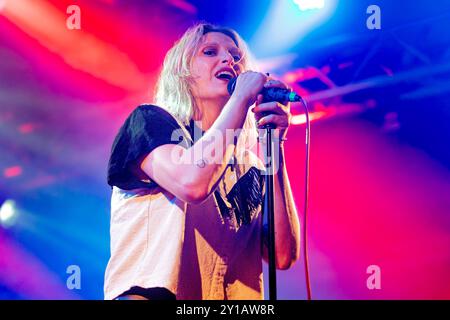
{"x":187,"y":187}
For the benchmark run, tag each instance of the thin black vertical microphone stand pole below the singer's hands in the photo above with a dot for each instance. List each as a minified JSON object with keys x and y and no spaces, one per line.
{"x":269,"y":212}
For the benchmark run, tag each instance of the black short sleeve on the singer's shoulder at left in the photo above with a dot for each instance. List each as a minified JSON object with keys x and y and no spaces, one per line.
{"x":145,"y":129}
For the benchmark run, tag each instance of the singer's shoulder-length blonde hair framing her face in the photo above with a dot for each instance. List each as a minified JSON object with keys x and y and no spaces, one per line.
{"x":173,"y":91}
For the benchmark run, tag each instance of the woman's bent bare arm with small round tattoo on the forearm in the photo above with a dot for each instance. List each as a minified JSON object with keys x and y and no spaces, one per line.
{"x":187,"y":173}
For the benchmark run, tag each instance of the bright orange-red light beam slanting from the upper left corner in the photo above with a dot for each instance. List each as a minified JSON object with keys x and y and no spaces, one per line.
{"x":81,"y":49}
